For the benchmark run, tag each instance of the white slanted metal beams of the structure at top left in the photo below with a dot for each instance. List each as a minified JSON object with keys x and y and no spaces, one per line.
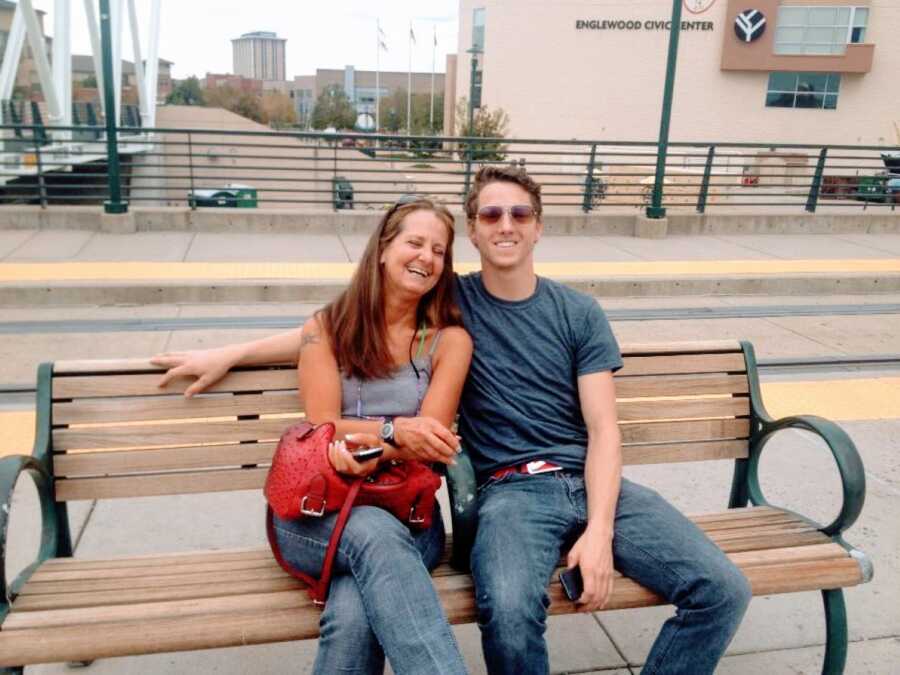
{"x":56,"y":84}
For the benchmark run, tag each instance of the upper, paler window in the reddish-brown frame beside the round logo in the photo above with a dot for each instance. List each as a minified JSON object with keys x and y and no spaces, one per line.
{"x":819,"y":30}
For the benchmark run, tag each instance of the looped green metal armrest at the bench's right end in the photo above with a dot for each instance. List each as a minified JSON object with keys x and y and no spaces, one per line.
{"x":846,"y":456}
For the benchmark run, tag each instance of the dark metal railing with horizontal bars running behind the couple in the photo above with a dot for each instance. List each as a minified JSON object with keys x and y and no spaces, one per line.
{"x":315,"y":171}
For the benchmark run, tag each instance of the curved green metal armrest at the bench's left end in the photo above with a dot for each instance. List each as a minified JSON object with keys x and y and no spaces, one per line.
{"x":11,"y":468}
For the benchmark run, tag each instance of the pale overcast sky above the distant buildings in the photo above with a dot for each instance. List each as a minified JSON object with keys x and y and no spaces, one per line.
{"x":196,"y":34}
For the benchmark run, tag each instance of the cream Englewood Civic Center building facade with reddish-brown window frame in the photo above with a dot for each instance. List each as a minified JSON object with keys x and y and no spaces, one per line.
{"x":786,"y":71}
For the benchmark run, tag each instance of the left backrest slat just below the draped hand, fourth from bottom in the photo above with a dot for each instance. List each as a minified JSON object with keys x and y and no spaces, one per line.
{"x":84,"y":411}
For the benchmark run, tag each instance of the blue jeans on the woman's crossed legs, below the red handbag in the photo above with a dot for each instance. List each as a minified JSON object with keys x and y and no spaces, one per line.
{"x":381,"y":602}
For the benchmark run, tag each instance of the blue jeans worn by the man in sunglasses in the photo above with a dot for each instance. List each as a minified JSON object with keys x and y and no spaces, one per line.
{"x":525,"y":521}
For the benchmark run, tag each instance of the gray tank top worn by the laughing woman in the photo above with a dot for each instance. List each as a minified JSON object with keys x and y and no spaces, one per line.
{"x":398,"y":395}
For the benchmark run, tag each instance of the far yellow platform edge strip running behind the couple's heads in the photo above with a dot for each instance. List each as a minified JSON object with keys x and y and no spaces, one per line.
{"x":169,"y":271}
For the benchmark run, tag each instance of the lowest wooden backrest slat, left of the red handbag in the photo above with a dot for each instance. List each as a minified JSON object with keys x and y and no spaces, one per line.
{"x":71,"y":489}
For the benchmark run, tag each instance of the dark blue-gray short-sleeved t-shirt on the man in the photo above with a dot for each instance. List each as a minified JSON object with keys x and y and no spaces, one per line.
{"x":520,"y":402}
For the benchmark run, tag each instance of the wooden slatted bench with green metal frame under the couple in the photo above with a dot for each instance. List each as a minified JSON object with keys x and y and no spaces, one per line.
{"x":105,"y":431}
